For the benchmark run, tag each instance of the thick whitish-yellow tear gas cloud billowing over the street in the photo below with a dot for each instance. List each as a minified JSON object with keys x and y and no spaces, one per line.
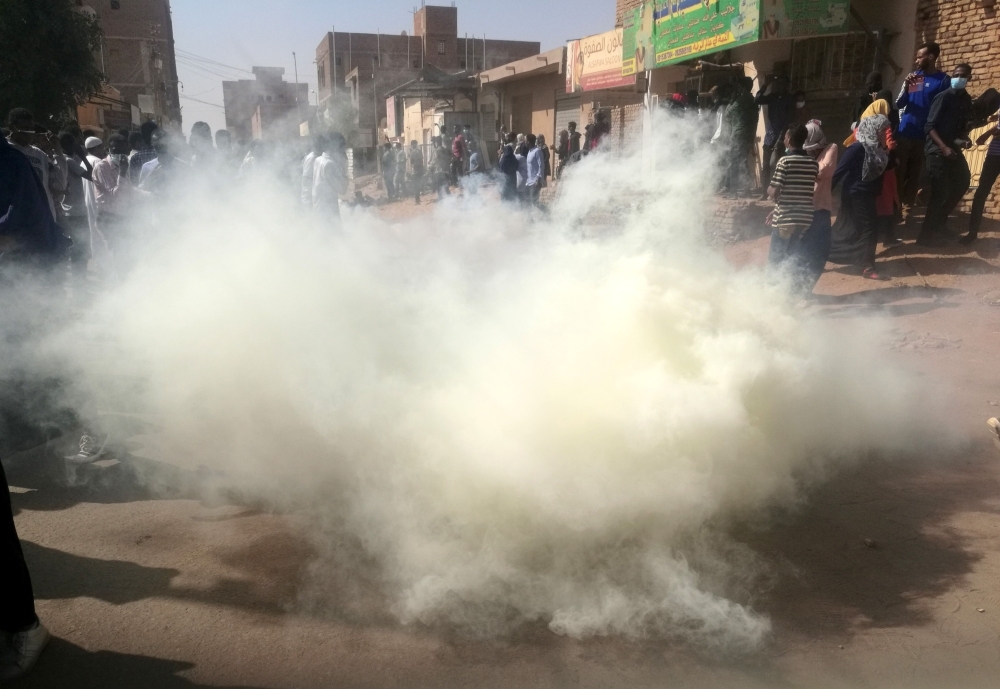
{"x":518,"y":417}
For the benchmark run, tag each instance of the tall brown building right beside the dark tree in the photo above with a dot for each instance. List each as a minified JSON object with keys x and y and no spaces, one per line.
{"x":137,"y":55}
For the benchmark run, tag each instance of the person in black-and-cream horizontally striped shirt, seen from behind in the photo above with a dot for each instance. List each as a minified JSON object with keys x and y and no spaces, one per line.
{"x":792,"y":188}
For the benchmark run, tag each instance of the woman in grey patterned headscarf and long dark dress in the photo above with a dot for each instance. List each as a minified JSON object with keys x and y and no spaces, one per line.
{"x":861,"y":171}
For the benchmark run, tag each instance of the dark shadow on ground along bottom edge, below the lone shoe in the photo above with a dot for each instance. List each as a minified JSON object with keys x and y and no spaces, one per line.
{"x":64,"y":664}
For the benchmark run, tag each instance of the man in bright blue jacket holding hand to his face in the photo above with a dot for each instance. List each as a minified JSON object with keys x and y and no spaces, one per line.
{"x":919,"y":91}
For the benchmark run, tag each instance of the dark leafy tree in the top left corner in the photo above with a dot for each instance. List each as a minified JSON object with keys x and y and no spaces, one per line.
{"x":47,"y":62}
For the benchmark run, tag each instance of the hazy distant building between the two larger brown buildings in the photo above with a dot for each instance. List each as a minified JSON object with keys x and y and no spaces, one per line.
{"x":266,"y":106}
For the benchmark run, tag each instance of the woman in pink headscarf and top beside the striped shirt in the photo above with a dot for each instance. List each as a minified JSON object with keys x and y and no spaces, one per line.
{"x":814,"y":247}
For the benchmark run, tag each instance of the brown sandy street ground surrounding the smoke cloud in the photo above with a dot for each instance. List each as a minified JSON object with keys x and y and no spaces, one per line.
{"x":142,"y":590}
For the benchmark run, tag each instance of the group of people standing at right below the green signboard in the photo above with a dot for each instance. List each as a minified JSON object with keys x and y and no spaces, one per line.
{"x":900,"y":146}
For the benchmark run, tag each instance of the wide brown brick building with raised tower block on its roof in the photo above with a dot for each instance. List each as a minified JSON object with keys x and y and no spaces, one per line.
{"x":356,"y":71}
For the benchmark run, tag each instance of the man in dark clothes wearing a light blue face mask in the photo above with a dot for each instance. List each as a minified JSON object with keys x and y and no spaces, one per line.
{"x":947,"y":134}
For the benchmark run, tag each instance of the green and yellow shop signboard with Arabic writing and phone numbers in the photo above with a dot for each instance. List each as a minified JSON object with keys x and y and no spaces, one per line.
{"x":665,"y":32}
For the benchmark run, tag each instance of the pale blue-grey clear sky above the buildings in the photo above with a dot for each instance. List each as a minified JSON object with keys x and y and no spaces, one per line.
{"x":220,"y":40}
